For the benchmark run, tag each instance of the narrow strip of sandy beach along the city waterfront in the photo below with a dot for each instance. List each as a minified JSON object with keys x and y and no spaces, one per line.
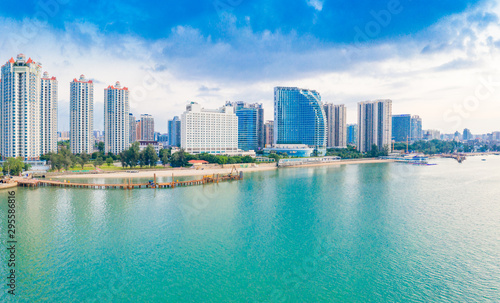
{"x":206,"y":171}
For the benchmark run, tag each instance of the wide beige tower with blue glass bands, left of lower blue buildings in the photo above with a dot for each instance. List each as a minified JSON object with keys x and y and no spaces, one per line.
{"x":374,"y":125}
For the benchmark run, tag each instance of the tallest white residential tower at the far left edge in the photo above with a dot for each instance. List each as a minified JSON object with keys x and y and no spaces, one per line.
{"x":21,"y":121}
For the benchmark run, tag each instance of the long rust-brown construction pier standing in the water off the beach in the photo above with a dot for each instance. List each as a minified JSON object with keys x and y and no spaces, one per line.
{"x":129,"y":185}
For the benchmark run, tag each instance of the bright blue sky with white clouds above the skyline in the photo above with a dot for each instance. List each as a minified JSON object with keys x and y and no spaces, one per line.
{"x":436,"y":59}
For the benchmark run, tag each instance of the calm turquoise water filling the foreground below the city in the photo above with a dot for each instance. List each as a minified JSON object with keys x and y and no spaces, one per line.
{"x":353,"y":233}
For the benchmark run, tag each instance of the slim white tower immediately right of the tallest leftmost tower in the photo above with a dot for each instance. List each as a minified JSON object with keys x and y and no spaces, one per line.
{"x":48,"y":114}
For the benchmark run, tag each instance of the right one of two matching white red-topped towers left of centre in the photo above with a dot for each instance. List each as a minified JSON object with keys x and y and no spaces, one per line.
{"x":116,"y":118}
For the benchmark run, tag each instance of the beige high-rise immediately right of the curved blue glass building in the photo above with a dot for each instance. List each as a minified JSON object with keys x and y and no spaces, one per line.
{"x":336,"y":135}
